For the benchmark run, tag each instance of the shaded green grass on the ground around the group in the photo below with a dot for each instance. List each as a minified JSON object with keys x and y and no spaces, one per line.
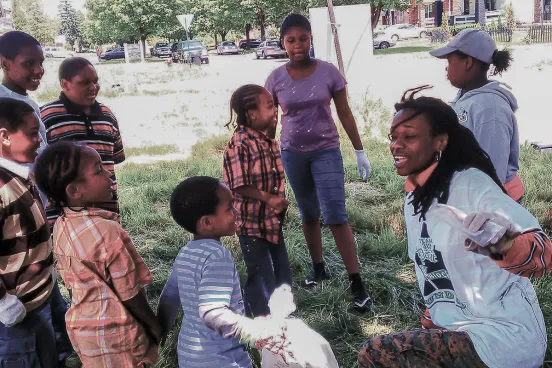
{"x":375,"y":212}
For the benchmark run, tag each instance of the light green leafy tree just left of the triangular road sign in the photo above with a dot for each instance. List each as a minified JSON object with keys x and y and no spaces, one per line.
{"x":129,"y":20}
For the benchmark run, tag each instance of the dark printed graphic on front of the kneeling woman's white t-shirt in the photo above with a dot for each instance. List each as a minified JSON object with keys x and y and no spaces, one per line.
{"x":438,"y":287}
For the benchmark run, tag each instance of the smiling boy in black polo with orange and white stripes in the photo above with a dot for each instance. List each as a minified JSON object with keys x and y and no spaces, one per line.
{"x":77,"y":116}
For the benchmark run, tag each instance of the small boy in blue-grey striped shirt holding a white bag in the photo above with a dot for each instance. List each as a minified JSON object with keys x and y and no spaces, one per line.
{"x":204,"y":280}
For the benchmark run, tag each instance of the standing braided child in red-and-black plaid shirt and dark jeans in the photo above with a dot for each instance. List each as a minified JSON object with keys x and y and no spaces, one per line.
{"x":253,"y":170}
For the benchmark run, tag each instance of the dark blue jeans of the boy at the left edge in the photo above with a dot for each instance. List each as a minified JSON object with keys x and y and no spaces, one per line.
{"x":40,"y":340}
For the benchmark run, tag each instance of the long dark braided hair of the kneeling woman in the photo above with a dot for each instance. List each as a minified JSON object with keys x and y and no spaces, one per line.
{"x":461,"y":153}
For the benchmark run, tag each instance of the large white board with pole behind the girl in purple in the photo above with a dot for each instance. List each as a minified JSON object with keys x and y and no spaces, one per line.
{"x":354,"y":28}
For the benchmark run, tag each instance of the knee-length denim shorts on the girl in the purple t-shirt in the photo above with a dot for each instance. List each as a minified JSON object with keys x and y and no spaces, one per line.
{"x":318,"y":182}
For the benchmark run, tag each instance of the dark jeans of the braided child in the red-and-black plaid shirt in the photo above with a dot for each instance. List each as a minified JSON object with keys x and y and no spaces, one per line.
{"x":267,"y":268}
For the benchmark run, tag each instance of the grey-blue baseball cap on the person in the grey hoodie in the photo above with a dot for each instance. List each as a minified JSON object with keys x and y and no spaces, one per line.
{"x":472,"y":42}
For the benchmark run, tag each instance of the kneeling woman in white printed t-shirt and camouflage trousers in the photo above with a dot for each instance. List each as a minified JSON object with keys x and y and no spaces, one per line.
{"x":483,"y":306}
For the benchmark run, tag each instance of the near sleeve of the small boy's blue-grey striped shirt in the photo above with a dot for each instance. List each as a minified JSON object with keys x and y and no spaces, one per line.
{"x":215,"y":293}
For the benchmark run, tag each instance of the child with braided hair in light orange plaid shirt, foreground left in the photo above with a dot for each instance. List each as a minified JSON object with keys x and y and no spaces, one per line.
{"x":109,"y":322}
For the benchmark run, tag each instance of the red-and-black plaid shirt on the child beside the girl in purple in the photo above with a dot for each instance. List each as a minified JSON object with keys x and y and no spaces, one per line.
{"x":253,"y":159}
